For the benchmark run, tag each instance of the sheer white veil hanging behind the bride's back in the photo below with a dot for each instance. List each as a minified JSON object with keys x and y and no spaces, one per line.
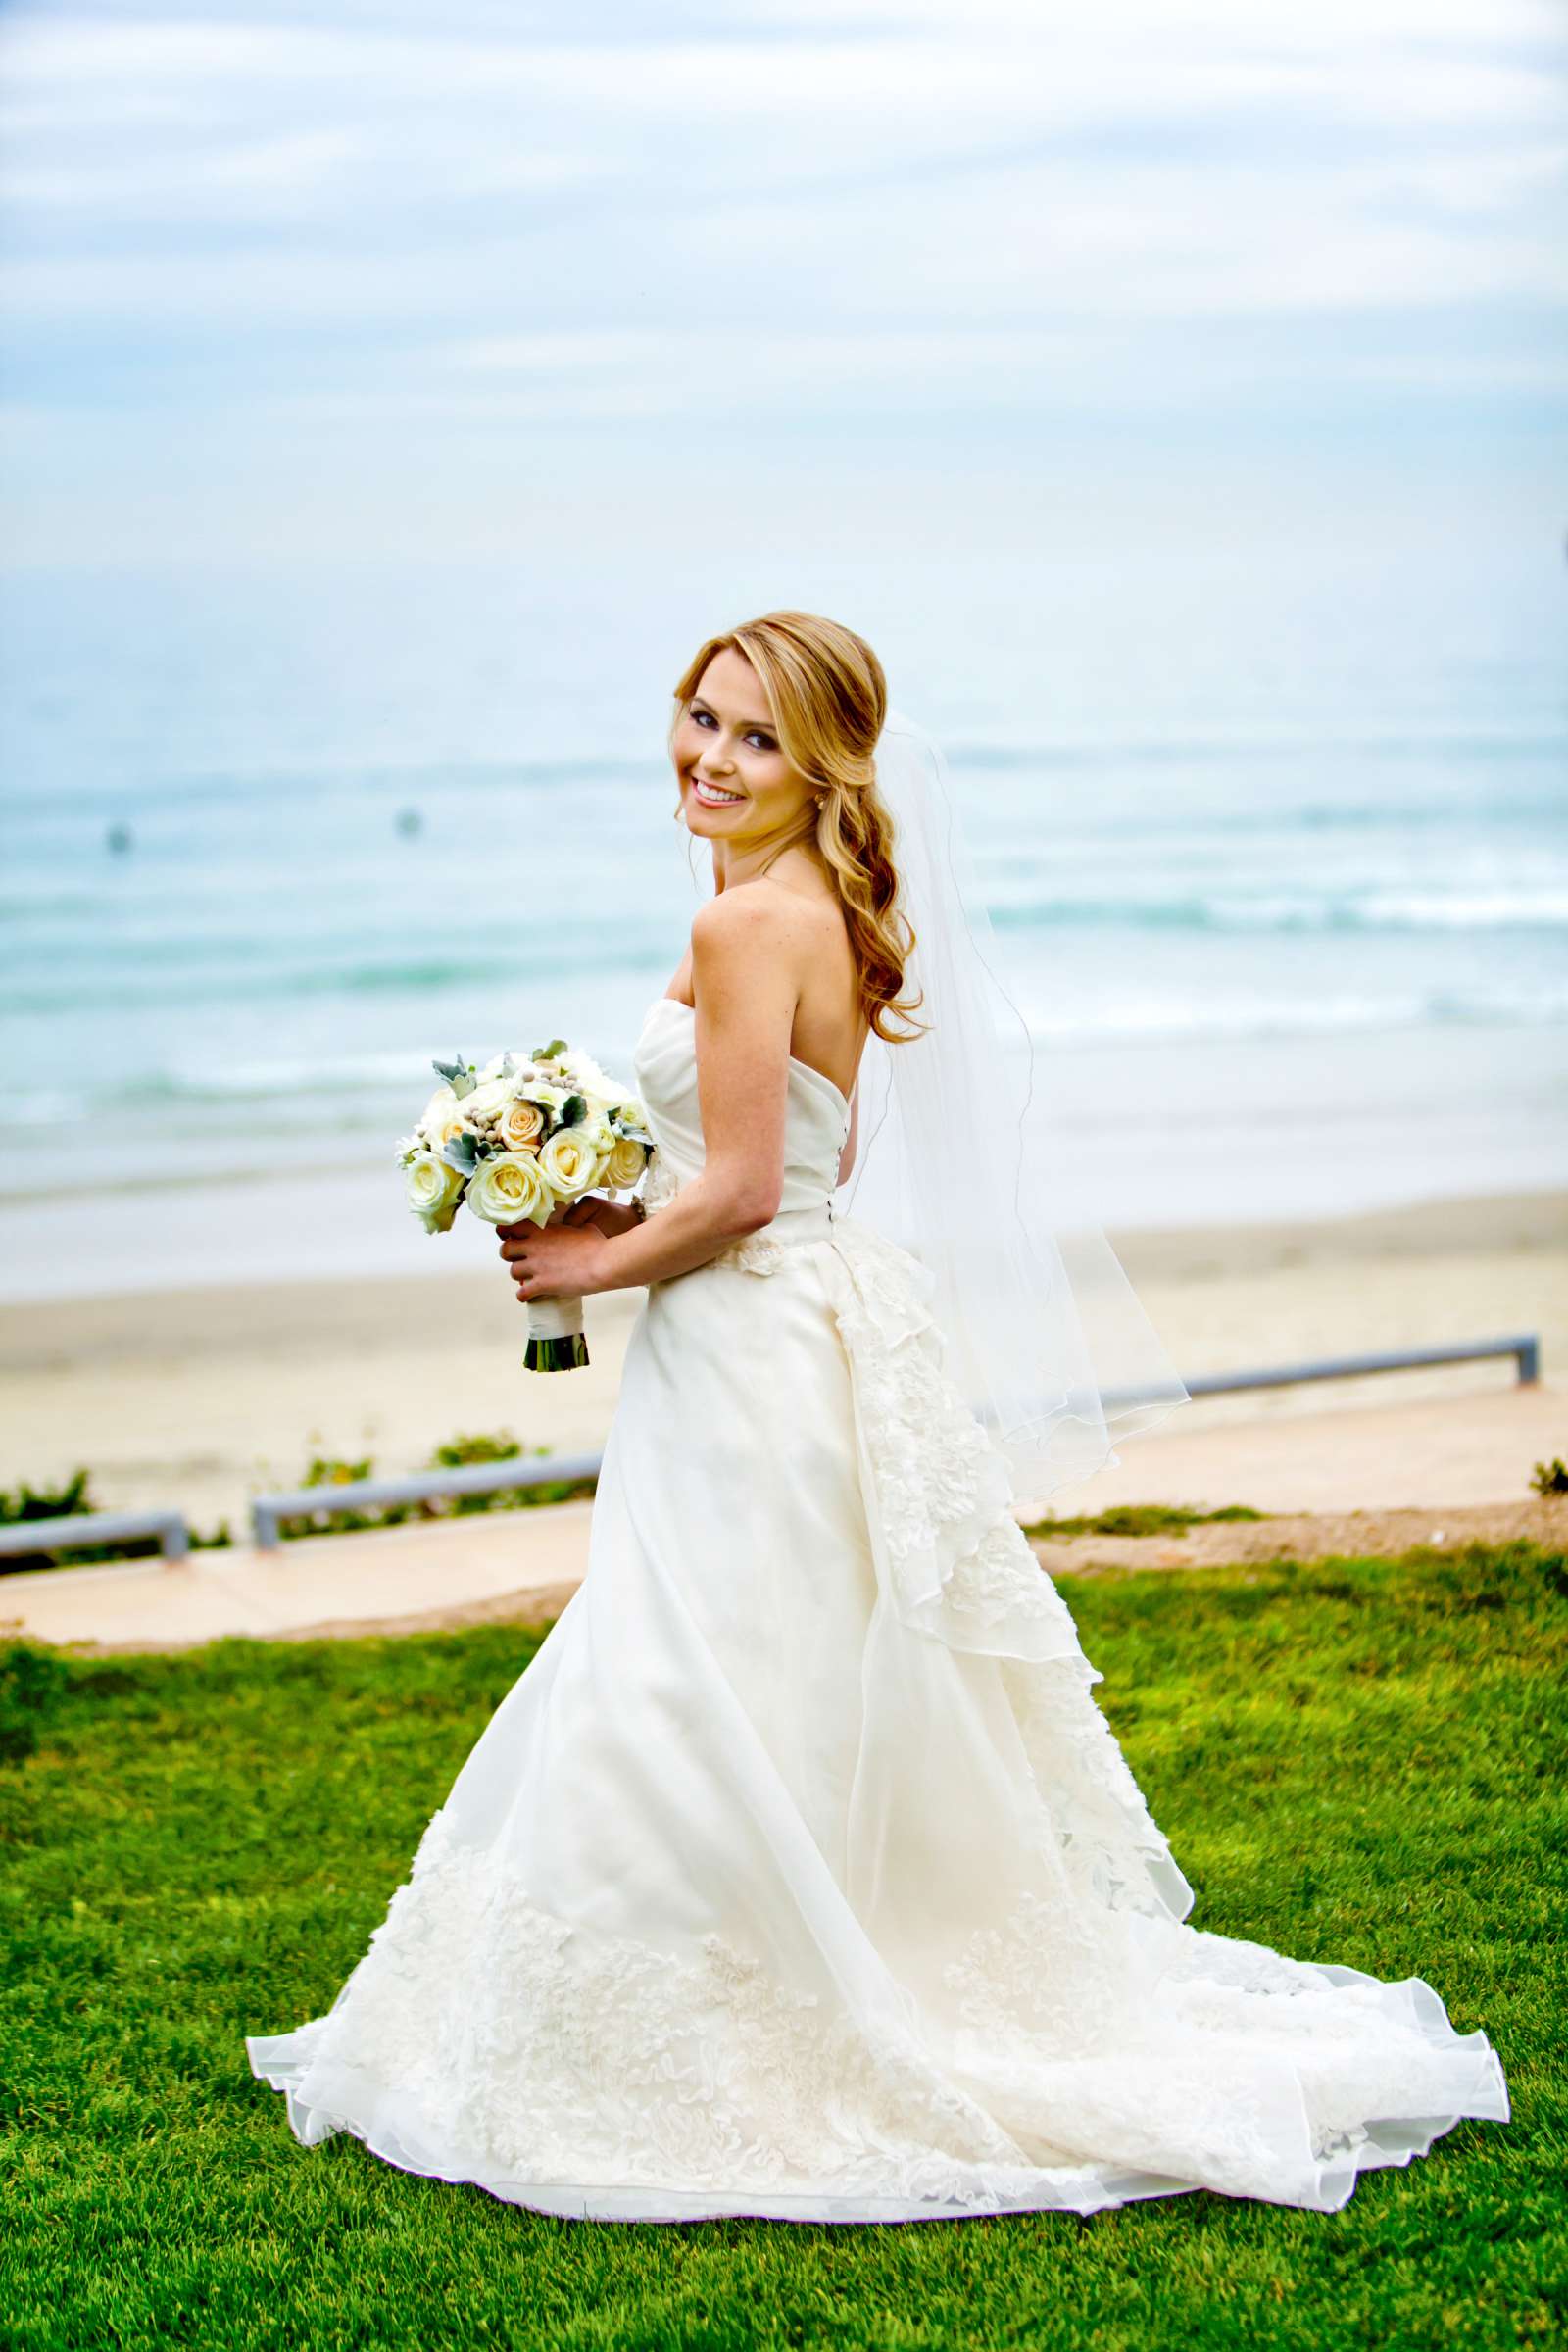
{"x":958,"y":1163}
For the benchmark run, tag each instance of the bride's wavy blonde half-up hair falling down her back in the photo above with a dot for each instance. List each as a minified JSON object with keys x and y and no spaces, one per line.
{"x":829,"y":702}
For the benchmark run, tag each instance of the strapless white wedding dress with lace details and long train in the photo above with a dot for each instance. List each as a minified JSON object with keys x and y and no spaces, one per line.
{"x":800,"y":1873}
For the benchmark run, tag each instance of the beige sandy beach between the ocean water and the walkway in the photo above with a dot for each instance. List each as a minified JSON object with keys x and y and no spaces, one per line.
{"x":208,"y":1396}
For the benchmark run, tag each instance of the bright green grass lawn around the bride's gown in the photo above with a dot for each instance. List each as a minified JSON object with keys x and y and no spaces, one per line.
{"x":1355,"y":1763}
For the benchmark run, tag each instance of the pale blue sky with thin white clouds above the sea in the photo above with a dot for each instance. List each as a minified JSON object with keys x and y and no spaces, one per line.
{"x":342,"y":281}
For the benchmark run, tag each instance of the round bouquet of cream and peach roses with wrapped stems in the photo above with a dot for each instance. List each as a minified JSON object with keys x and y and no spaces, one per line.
{"x":525,"y":1137}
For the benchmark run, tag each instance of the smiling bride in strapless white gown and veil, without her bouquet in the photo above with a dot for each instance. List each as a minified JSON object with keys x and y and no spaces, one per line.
{"x":800,"y":1873}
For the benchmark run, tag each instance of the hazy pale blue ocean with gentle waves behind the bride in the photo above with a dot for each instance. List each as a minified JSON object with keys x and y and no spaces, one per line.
{"x":1280,"y":881}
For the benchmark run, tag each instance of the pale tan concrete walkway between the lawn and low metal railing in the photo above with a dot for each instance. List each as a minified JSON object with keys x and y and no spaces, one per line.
{"x":1426,"y":1457}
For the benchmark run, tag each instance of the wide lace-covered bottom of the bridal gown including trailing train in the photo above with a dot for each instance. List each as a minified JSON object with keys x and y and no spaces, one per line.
{"x":492,"y":2040}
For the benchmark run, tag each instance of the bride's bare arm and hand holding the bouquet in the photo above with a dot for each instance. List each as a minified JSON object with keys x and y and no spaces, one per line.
{"x":746,"y":958}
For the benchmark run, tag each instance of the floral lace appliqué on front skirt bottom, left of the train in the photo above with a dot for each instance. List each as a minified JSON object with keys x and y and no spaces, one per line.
{"x":556,"y":2052}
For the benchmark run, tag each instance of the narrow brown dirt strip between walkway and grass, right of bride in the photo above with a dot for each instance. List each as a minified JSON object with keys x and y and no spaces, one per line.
{"x":1355,"y":1535}
